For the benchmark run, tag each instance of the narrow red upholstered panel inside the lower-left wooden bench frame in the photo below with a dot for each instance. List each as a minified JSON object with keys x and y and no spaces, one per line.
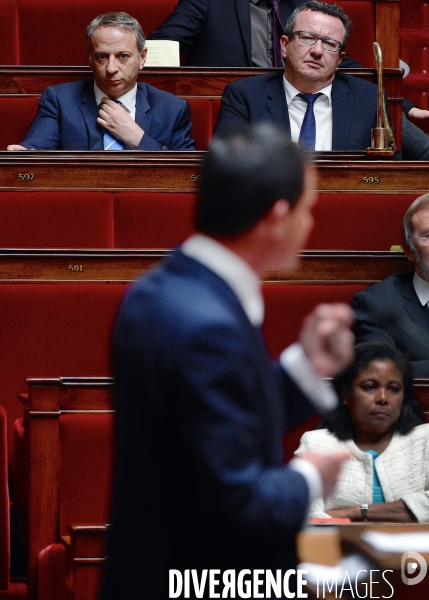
{"x":86,"y":469}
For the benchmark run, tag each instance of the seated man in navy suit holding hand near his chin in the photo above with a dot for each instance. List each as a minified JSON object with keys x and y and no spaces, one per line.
{"x":76,"y":116}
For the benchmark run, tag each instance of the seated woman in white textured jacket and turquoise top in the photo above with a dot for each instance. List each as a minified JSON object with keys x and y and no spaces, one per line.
{"x":380,"y":423}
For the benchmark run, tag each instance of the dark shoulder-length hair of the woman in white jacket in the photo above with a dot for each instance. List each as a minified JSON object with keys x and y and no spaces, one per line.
{"x":339,"y":421}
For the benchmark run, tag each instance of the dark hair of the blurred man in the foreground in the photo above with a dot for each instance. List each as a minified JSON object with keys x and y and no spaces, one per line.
{"x":243,"y":174}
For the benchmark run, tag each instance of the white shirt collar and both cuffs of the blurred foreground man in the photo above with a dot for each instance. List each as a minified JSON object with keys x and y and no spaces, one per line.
{"x":244,"y":282}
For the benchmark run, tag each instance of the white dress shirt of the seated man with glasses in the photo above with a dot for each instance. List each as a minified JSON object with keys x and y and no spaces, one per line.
{"x":322,"y":114}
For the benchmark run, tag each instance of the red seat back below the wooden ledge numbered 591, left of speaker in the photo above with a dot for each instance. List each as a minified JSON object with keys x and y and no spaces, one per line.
{"x":49,"y":329}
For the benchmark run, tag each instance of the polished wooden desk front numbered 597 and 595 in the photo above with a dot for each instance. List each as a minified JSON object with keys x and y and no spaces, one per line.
{"x":179,"y":171}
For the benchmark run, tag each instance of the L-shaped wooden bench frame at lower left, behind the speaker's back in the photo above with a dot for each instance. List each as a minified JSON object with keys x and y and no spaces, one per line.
{"x":46,"y":401}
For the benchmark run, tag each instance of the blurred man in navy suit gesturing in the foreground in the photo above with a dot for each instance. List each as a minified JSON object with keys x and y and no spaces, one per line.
{"x":201,"y":409}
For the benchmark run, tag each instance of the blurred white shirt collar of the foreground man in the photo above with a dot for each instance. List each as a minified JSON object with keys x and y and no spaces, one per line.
{"x":240,"y":277}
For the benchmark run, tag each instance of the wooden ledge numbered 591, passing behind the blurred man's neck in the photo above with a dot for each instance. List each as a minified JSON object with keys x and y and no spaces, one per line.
{"x":84,"y":266}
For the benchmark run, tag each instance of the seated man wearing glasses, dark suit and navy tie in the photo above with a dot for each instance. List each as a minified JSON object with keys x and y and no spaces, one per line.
{"x":318,"y":107}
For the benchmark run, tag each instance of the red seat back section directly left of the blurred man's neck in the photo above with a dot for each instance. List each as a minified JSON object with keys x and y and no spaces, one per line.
{"x":152,"y":220}
